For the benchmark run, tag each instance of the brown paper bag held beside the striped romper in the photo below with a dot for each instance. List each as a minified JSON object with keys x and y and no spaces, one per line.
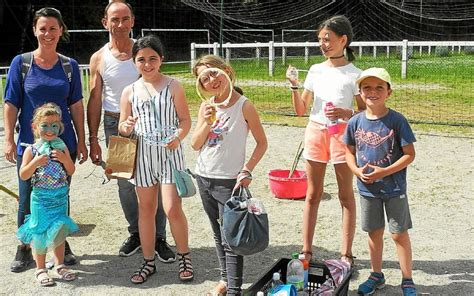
{"x":121,"y":158}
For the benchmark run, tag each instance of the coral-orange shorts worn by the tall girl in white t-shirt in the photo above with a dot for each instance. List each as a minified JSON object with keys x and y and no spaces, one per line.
{"x":321,"y":147}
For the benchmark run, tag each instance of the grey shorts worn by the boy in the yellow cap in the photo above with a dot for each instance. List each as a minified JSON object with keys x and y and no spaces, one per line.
{"x":396,"y":209}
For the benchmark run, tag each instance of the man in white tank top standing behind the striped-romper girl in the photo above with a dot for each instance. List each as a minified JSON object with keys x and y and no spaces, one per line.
{"x":111,"y":69}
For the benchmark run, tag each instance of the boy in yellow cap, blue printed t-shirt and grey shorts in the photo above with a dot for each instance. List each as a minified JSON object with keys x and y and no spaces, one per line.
{"x":379,"y":149}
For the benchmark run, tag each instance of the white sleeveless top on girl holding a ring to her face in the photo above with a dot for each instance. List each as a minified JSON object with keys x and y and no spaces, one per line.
{"x":223,"y":154}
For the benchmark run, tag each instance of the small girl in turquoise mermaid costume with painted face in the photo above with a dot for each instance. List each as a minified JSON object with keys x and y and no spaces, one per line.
{"x":48,"y":163}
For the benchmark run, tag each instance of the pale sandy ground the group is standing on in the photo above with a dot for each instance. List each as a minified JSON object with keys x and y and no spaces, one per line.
{"x":440,"y":191}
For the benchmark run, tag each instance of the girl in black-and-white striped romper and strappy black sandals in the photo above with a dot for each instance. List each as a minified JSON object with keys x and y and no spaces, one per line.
{"x":152,"y":102}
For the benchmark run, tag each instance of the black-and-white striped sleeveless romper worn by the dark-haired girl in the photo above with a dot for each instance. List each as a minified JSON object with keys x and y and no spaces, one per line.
{"x":152,"y":164}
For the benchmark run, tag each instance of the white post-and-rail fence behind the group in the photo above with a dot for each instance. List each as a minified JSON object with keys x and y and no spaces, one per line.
{"x":375,"y":45}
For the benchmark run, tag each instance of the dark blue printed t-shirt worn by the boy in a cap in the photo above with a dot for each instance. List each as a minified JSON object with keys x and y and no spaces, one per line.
{"x":379,"y":142}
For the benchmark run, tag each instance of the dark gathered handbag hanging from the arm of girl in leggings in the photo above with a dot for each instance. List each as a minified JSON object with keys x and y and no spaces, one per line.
{"x":245,"y":224}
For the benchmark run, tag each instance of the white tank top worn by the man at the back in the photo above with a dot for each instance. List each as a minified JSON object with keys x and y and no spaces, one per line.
{"x":116,"y":75}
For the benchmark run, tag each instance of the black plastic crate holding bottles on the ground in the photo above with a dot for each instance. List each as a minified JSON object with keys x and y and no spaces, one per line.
{"x":318,"y":273}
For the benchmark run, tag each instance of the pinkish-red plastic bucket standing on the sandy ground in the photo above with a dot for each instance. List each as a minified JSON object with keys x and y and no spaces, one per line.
{"x":291,"y":188}
